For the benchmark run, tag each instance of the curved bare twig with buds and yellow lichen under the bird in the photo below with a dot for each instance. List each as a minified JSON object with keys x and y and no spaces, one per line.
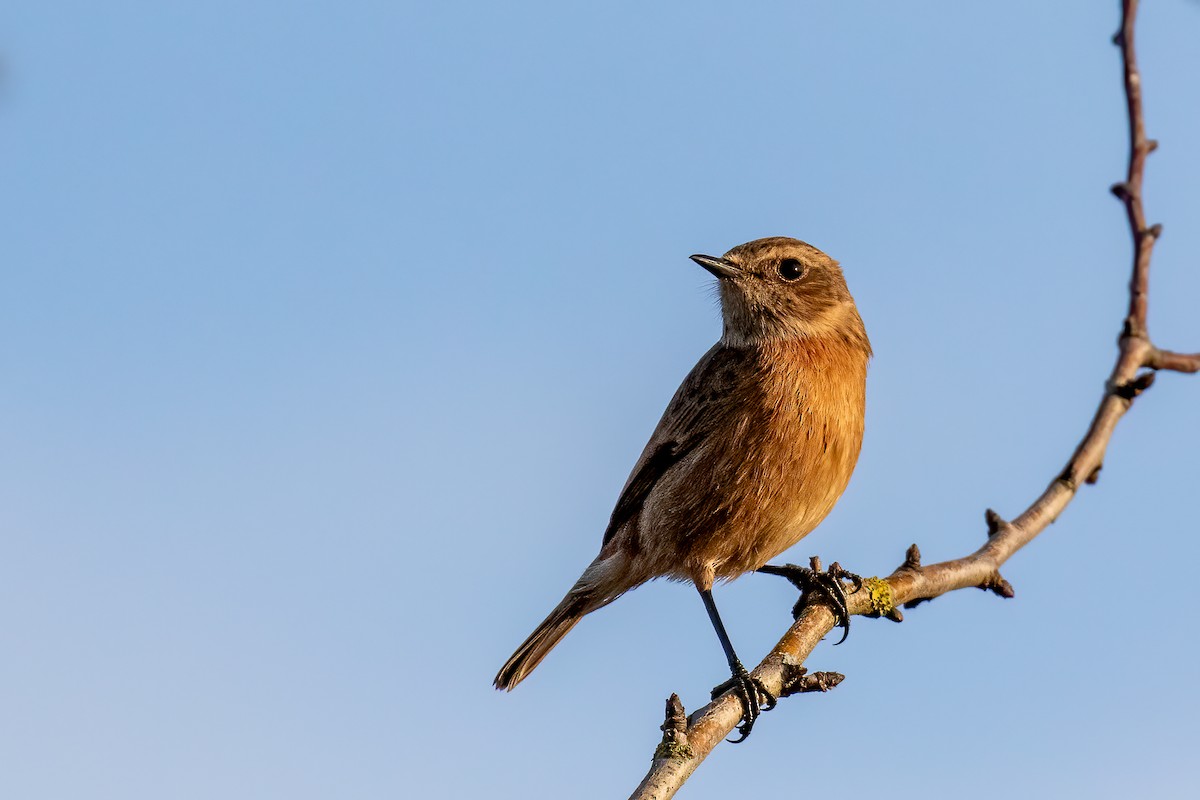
{"x":782,"y":672}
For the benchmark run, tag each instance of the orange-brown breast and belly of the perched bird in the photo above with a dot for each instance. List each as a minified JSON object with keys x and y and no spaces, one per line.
{"x":770,"y":477}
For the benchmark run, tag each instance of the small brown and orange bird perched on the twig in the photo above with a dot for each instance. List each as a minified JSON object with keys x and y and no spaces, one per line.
{"x":754,"y":450}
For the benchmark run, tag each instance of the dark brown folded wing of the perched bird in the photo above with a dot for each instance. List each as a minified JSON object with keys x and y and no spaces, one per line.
{"x":694,"y":413}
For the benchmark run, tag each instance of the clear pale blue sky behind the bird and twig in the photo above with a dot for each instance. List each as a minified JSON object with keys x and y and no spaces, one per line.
{"x":331,"y":332}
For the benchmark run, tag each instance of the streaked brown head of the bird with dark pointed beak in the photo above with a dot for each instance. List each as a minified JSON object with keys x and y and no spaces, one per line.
{"x":782,"y":288}
